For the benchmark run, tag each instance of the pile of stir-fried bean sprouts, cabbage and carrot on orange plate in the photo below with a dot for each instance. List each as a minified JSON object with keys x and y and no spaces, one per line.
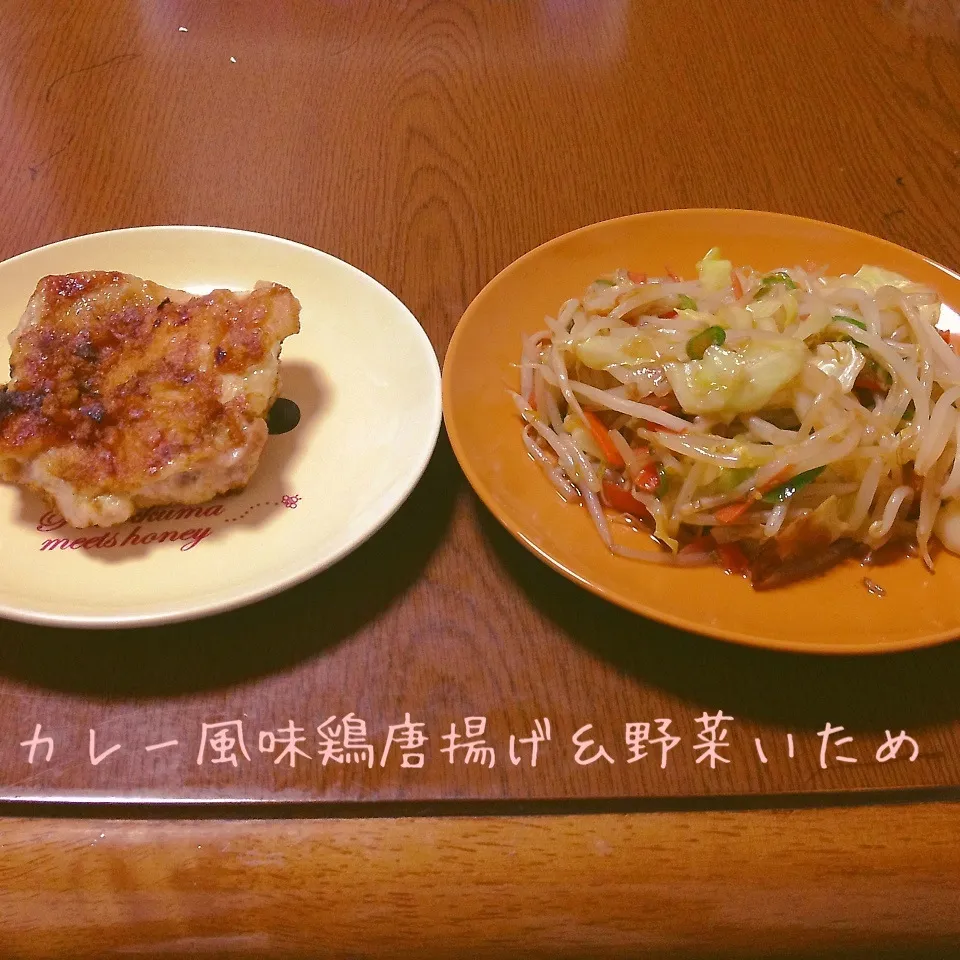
{"x":770,"y":421}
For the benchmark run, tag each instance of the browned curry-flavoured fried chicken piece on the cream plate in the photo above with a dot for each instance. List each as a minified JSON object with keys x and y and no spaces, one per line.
{"x":125,"y":394}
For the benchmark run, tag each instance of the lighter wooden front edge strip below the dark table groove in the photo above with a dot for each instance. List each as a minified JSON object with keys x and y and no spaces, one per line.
{"x":656,"y":885}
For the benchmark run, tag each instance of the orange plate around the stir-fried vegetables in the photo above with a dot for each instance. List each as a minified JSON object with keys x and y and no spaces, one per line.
{"x":832,"y":614}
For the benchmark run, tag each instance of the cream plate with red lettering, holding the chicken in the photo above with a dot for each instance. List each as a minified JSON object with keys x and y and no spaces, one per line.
{"x":366,"y":380}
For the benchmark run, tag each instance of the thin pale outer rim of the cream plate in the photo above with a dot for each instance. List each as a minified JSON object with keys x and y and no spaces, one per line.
{"x":200,"y":611}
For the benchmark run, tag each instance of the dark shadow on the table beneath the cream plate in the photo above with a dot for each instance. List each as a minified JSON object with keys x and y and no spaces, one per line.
{"x":253,"y":641}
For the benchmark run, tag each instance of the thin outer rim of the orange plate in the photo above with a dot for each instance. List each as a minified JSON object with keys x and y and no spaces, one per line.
{"x":486,"y":496}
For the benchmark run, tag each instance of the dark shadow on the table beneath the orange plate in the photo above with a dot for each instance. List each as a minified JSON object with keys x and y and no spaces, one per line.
{"x":914,"y":688}
